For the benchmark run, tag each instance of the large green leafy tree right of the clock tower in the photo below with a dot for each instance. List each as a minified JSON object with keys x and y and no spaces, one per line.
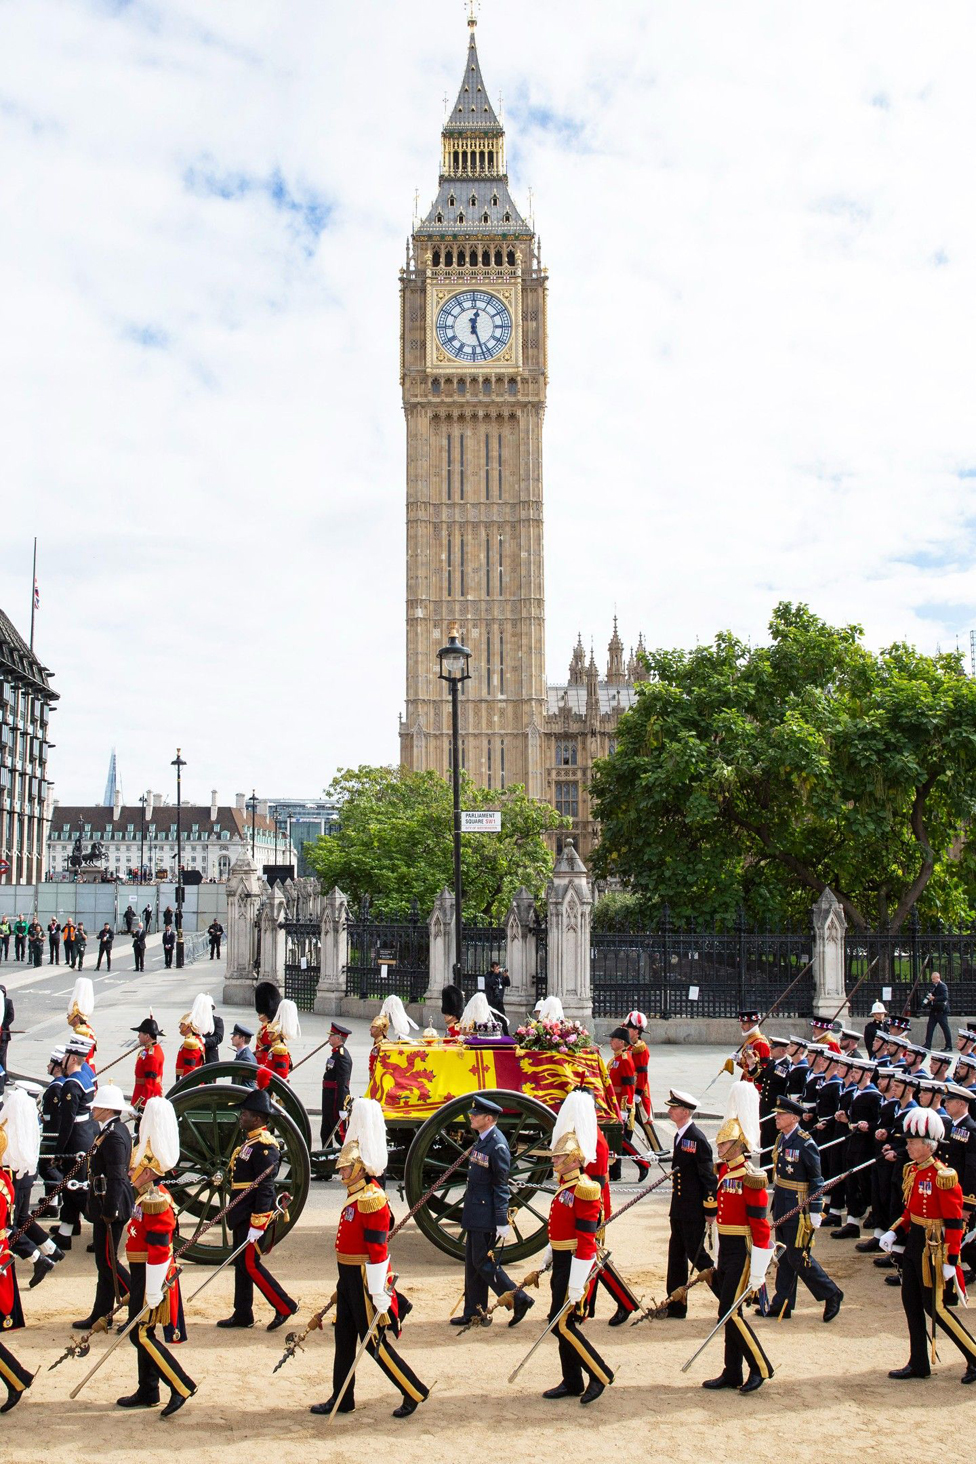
{"x":763,"y":775}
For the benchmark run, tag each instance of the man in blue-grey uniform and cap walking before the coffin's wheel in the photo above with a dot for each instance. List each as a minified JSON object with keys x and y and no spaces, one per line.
{"x":485,"y":1217}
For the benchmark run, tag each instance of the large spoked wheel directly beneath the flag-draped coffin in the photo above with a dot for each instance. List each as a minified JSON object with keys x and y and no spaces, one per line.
{"x":528,"y":1127}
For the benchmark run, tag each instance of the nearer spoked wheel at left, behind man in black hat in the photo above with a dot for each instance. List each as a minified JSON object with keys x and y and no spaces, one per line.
{"x":210,"y":1132}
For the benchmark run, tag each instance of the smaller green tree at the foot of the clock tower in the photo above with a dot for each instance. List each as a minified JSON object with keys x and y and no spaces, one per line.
{"x":396,"y":843}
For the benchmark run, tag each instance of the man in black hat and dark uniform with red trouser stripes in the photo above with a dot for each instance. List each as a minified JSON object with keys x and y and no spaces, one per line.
{"x":252,"y":1214}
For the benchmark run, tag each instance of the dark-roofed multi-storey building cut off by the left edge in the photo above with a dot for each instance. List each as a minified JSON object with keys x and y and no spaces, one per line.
{"x":27,"y":702}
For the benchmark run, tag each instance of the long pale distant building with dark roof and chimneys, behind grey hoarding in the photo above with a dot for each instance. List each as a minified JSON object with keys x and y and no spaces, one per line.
{"x":213,"y":838}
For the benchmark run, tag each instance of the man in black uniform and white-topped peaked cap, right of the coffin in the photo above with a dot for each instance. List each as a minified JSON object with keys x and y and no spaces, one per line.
{"x":693,"y":1197}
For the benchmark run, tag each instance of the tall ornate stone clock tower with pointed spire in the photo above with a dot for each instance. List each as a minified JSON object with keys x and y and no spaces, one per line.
{"x":473,"y":373}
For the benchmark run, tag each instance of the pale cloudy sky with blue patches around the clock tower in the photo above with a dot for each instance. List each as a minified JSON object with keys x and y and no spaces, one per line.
{"x":760,"y":229}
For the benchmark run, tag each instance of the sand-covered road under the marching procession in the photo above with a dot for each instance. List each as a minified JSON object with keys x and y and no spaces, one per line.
{"x":830,"y":1381}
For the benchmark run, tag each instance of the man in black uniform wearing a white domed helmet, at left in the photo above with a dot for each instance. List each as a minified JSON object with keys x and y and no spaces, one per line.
{"x":109,"y":1201}
